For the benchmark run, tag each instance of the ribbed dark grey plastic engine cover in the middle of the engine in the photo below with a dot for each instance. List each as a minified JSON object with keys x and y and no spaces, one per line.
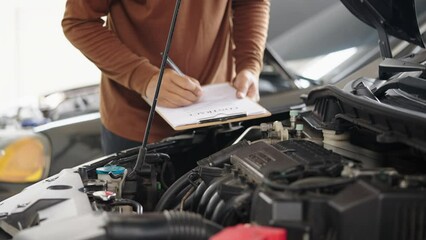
{"x":260,"y":159}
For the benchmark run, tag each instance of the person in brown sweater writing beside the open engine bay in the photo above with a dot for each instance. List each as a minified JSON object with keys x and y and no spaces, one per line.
{"x":214,"y":41}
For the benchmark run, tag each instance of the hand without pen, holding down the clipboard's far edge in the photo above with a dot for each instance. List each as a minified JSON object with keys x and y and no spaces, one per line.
{"x":247,"y":84}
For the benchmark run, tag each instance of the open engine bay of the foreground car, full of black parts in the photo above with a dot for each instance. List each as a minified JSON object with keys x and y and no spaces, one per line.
{"x":315,"y":174}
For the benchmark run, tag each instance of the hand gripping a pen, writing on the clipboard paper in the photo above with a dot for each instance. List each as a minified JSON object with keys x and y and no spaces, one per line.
{"x":176,"y":91}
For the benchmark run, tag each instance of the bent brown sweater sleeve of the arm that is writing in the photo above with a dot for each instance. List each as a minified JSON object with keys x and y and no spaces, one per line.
{"x":83,"y":26}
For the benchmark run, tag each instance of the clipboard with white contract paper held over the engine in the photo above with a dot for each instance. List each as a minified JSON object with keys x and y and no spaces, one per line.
{"x":218,"y":105}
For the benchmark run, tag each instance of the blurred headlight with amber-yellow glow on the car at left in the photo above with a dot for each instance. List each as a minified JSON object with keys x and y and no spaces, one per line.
{"x":24,"y":158}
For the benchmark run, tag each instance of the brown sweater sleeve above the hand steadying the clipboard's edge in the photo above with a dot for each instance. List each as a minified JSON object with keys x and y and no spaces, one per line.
{"x":250,"y":24}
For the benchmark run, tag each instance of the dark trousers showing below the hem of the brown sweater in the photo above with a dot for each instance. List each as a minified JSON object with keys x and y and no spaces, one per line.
{"x":112,"y":143}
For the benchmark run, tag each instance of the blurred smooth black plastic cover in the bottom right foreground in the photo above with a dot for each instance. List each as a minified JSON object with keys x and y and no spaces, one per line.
{"x":362,"y":210}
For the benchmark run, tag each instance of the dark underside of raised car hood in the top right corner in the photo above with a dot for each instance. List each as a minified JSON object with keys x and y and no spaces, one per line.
{"x":397,"y":17}
